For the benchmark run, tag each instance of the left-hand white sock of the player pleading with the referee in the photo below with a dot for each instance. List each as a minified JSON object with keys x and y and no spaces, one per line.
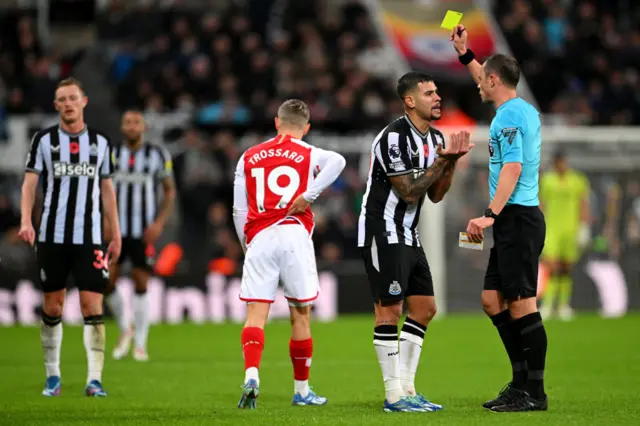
{"x":385,"y":341}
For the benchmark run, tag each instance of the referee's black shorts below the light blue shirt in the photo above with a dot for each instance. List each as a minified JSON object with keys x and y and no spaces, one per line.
{"x":518,"y":235}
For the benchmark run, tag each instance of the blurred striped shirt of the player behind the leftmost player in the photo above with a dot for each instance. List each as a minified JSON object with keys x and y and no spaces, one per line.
{"x":137,"y":175}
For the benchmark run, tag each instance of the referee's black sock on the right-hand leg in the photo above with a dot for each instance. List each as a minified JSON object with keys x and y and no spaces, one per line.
{"x":534,"y":345}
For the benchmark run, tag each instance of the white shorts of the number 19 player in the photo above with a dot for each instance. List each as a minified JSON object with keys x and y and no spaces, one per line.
{"x":282,"y":253}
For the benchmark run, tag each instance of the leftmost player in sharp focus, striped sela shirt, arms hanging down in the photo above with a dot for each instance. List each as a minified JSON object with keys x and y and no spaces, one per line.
{"x":75,"y":164}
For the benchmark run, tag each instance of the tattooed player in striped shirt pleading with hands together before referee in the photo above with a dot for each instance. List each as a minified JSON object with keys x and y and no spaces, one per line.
{"x":409,"y":160}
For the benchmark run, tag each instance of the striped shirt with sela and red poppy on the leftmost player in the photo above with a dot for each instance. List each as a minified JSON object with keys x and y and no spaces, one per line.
{"x":71,"y":167}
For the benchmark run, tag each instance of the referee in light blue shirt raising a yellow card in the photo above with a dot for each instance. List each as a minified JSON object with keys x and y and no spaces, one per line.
{"x":510,"y":284}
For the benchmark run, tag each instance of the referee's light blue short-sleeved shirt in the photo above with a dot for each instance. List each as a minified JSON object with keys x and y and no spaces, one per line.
{"x":515,"y":138}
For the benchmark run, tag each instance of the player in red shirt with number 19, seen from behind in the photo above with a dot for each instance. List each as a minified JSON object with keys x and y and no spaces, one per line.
{"x":275,"y":183}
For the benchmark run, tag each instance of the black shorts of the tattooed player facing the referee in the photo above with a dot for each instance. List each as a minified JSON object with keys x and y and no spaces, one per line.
{"x":396,"y":271}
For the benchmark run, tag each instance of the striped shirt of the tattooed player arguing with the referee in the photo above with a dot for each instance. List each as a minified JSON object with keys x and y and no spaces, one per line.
{"x":400,"y":148}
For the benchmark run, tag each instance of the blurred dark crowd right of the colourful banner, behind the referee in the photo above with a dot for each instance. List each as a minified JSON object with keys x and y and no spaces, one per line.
{"x":581,"y":58}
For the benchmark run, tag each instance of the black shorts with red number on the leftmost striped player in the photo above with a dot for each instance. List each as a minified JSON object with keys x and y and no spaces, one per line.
{"x":85,"y":263}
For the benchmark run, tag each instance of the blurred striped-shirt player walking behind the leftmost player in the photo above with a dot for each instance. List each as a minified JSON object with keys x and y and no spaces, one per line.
{"x":140,"y":166}
